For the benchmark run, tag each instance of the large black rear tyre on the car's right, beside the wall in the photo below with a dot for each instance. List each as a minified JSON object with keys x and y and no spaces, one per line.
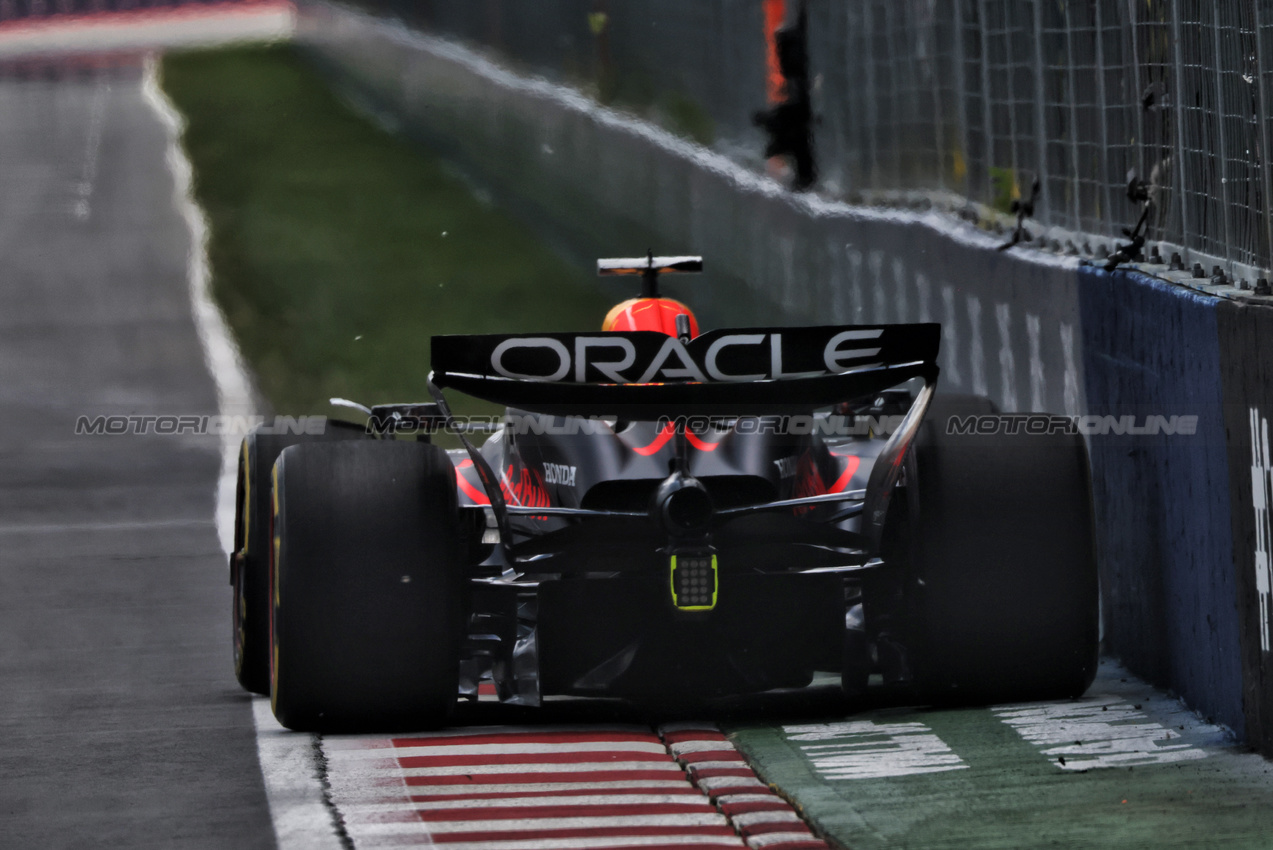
{"x":1004,"y":596}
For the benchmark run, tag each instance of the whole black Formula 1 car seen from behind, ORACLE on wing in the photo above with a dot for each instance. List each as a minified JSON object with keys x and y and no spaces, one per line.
{"x":665,"y":515}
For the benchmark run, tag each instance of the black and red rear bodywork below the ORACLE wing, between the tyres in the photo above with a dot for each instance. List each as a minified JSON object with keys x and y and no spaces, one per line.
{"x":604,"y":618}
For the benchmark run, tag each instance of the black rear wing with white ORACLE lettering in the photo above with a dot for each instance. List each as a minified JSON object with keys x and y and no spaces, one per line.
{"x":726,"y":372}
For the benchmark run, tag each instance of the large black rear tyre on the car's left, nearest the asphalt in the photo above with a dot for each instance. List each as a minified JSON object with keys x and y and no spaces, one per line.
{"x":366,"y":585}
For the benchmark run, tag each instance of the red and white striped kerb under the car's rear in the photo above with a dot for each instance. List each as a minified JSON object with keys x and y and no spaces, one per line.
{"x":533,"y":788}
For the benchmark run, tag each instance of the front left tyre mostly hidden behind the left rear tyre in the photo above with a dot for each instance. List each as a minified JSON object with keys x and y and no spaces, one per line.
{"x":250,"y":563}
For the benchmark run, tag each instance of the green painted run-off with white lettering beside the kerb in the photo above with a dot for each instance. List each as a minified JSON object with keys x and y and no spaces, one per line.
{"x":1143,"y":772}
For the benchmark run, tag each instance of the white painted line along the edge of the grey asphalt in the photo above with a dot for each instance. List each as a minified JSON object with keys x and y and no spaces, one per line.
{"x":288,"y":764}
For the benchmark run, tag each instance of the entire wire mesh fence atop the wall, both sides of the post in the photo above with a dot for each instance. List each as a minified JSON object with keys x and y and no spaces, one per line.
{"x":974,"y":100}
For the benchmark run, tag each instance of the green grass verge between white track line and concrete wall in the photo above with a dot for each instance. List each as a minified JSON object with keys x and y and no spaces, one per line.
{"x":338,"y":249}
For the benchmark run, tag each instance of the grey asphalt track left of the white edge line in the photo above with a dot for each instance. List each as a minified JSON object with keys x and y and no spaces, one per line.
{"x":120,"y":720}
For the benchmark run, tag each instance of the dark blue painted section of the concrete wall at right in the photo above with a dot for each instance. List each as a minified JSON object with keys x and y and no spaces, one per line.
{"x":1167,"y":548}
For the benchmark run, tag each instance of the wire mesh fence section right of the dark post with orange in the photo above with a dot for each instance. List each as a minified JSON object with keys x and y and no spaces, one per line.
{"x":1079,"y":96}
